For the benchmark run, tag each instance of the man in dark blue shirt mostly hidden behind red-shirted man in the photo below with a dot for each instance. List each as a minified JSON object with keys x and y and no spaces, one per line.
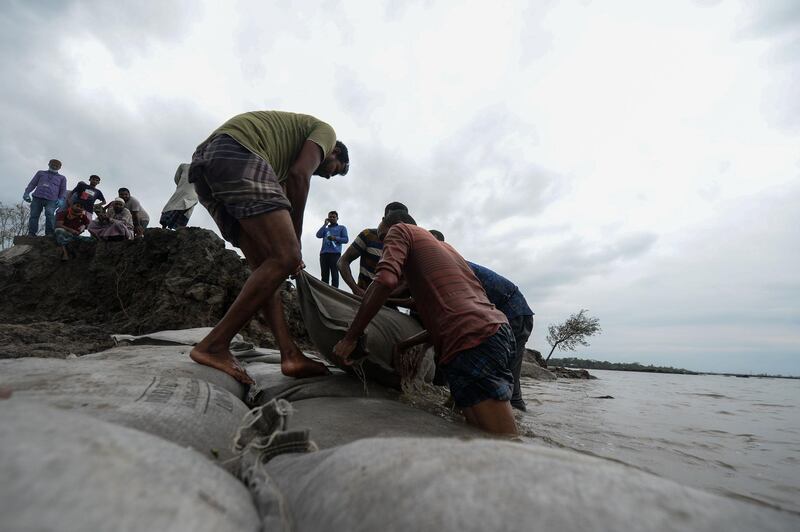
{"x":506,"y":296}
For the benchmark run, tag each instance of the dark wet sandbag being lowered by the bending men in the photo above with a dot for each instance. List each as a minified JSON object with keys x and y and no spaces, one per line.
{"x":327,"y":313}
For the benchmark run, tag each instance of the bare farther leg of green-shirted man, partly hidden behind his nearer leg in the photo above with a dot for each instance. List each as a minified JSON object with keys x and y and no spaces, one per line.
{"x":293,"y":362}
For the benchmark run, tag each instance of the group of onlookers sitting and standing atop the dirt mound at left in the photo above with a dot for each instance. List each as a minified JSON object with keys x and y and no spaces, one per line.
{"x":68,"y":213}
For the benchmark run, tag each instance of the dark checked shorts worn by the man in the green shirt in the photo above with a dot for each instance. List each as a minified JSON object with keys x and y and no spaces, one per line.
{"x":233,"y":183}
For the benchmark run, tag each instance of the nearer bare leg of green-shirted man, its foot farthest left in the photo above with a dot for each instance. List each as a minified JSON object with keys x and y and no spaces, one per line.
{"x":272,"y":236}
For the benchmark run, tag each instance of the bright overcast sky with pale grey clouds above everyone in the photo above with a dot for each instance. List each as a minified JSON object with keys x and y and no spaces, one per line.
{"x":638,"y":159}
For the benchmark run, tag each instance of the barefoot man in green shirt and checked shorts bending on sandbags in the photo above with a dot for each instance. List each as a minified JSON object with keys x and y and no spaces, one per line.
{"x":253,"y":175}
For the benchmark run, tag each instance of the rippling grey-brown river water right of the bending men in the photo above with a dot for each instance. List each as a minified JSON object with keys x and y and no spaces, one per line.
{"x":734,"y":436}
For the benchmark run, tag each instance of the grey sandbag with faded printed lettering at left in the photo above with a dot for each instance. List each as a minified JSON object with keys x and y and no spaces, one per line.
{"x":186,"y":411}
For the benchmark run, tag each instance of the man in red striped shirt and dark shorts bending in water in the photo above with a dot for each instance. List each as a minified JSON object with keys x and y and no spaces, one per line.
{"x":473,"y":342}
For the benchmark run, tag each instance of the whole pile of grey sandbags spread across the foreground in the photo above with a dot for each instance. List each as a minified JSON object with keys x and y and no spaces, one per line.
{"x":141,"y":438}
